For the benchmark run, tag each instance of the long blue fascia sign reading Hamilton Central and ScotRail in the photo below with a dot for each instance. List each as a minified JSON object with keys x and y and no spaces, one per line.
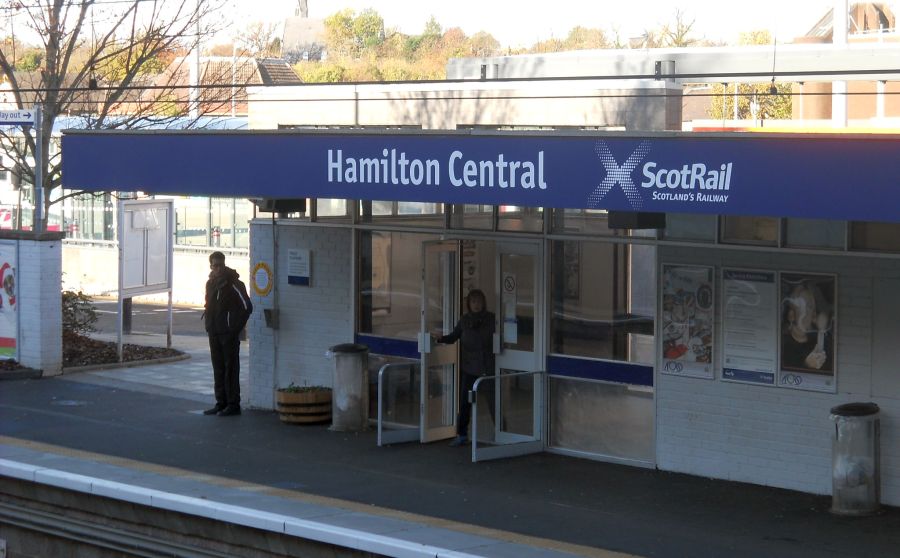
{"x":811,"y":176}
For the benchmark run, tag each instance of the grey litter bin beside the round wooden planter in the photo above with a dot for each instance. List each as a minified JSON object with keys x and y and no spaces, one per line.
{"x":350,"y":389}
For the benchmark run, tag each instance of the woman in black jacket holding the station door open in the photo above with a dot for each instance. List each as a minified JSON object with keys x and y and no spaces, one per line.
{"x":475,"y":332}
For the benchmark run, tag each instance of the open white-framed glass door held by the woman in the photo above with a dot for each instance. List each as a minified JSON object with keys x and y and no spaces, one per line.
{"x":440,"y":311}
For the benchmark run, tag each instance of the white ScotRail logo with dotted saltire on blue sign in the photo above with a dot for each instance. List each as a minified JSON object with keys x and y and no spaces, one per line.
{"x":691,"y":183}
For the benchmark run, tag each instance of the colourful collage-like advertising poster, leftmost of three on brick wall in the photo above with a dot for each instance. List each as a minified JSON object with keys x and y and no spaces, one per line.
{"x":687,"y":320}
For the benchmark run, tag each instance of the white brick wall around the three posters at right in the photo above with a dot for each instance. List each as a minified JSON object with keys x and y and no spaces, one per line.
{"x":776,"y":436}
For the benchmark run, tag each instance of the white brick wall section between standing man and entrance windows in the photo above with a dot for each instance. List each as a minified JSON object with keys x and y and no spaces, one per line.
{"x":312,"y":319}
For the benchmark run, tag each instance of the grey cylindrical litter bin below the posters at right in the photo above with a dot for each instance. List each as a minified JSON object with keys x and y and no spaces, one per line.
{"x":855,"y":458}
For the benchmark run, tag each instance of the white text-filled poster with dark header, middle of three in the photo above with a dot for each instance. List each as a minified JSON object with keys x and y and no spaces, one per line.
{"x":750,"y":342}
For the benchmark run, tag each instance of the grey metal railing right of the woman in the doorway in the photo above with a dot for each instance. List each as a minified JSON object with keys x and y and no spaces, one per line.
{"x":511,"y":444}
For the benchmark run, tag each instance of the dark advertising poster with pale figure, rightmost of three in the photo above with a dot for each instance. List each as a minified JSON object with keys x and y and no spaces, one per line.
{"x":808,"y":326}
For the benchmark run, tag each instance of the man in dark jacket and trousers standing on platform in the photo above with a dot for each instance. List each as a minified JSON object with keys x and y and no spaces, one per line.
{"x":228,"y":308}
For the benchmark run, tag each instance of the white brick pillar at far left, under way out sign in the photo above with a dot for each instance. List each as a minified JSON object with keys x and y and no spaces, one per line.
{"x":40,"y":314}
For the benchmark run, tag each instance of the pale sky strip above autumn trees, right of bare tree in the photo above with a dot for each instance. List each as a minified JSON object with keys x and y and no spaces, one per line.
{"x":523,"y":22}
